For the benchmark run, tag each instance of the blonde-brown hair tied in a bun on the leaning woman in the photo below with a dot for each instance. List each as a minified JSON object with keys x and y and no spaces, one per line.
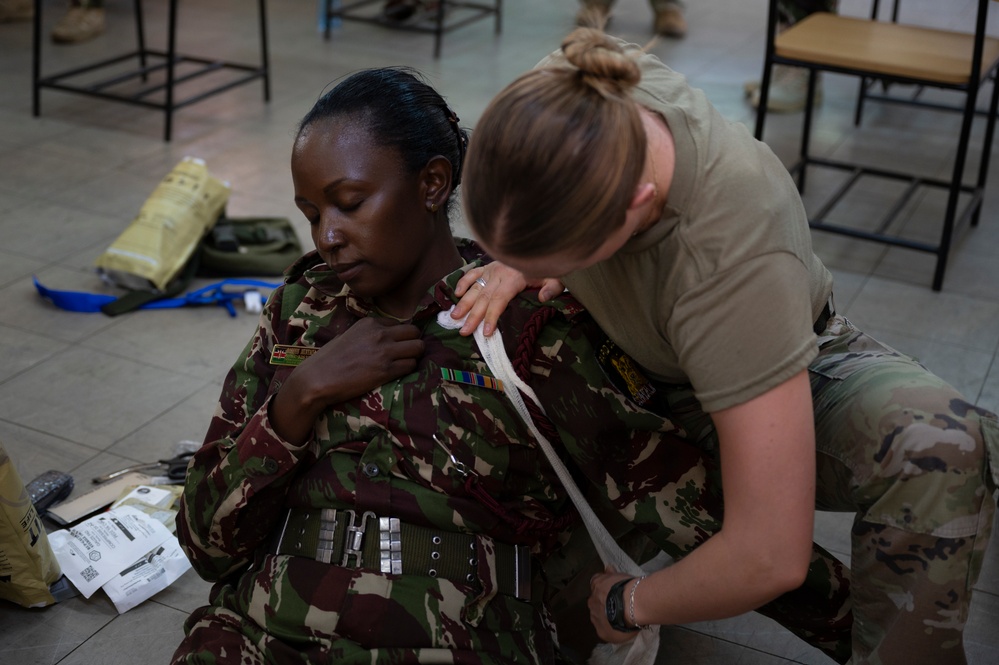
{"x":555,"y":159}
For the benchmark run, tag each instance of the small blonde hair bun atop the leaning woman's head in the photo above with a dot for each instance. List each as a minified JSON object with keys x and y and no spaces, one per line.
{"x":601,"y":60}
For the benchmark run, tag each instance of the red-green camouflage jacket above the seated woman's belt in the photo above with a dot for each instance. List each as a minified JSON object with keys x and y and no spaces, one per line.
{"x":378,"y":452}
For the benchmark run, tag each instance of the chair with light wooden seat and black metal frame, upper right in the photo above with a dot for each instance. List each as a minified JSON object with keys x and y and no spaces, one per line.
{"x":892,"y":52}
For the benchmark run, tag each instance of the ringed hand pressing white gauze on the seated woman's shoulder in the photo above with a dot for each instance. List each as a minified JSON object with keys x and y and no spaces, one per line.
{"x":486,"y":303}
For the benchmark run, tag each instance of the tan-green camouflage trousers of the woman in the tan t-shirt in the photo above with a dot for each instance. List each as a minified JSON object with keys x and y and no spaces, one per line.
{"x":917,"y":464}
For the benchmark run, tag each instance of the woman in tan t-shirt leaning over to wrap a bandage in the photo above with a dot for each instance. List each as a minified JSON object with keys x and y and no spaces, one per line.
{"x":688,"y":242}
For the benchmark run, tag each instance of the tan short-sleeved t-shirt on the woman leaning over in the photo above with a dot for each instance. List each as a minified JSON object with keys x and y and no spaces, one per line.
{"x":722,"y":293}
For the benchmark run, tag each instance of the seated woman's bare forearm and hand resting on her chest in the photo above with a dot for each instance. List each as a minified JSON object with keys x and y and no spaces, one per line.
{"x":369,"y":354}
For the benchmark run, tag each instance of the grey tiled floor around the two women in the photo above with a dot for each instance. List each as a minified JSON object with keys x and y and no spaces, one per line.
{"x":88,"y":394}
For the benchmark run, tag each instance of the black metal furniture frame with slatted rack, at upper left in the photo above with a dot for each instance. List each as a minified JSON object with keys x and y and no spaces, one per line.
{"x":168,"y":60}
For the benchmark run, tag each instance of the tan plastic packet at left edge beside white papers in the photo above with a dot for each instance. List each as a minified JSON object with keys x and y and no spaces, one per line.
{"x":27,"y":564}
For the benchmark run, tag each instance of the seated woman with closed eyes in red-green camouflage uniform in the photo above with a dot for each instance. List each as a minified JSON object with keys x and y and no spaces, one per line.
{"x":366,"y":493}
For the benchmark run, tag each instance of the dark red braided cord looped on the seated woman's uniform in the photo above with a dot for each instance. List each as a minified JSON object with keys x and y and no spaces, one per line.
{"x":522,"y":366}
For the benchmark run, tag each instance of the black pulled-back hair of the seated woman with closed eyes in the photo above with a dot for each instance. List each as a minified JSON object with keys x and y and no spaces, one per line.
{"x":399,"y":110}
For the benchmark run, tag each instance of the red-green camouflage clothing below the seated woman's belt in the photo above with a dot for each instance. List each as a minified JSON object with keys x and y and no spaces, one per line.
{"x":293,"y":610}
